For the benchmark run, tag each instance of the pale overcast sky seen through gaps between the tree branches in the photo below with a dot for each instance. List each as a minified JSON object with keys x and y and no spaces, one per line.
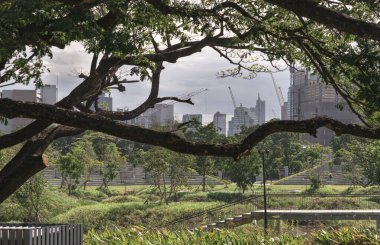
{"x":187,"y":75}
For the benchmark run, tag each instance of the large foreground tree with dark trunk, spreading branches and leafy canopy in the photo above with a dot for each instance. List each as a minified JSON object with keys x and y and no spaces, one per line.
{"x":338,"y":40}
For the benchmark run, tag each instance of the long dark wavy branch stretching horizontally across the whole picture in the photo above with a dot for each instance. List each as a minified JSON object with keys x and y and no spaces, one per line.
{"x":172,"y":141}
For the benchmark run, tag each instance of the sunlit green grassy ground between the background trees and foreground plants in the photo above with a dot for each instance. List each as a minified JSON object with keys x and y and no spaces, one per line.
{"x":139,"y":205}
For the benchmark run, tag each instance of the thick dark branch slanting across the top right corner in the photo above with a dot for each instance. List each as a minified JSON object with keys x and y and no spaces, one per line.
{"x":331,"y":18}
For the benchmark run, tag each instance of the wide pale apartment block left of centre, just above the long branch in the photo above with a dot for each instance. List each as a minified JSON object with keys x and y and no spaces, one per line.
{"x":159,"y":115}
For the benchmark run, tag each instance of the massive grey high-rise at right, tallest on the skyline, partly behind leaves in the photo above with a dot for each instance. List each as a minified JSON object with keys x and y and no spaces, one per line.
{"x":309,"y":97}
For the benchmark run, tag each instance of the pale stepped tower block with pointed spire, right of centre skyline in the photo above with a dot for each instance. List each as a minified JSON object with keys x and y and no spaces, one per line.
{"x":247,"y":117}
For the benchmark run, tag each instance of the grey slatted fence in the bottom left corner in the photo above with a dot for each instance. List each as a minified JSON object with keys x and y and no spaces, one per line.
{"x":52,"y":234}
